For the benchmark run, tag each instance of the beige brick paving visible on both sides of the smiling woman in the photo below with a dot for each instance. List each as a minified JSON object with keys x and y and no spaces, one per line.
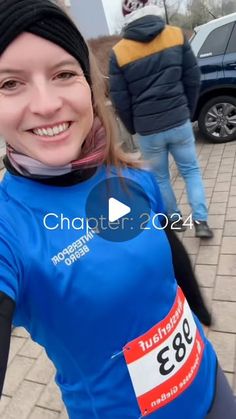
{"x":29,"y":391}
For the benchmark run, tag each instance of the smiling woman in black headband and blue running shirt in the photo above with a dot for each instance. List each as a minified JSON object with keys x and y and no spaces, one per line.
{"x":108,"y":312}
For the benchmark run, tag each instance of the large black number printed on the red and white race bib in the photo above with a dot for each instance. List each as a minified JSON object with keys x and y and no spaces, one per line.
{"x":178,"y":347}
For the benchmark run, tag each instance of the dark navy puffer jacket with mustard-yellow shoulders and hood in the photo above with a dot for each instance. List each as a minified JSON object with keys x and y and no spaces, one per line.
{"x":154,"y":76}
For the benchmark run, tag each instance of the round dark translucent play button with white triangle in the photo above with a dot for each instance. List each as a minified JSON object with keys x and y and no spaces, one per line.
{"x":118,"y":209}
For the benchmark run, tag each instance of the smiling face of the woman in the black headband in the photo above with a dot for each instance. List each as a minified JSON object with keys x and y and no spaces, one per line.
{"x":45,"y":101}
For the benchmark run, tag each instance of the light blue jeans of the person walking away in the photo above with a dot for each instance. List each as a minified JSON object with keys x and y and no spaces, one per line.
{"x":180,"y":142}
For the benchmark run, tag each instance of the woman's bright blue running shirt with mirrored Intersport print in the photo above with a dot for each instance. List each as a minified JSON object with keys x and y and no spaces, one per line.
{"x":84,"y":298}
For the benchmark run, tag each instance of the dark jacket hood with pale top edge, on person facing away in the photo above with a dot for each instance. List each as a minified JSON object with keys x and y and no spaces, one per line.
{"x":143,"y":25}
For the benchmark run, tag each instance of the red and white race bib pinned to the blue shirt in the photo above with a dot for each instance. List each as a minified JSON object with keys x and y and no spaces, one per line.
{"x":164,"y":361}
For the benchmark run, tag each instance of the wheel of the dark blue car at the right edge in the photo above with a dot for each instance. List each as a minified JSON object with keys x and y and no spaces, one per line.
{"x":217,"y":119}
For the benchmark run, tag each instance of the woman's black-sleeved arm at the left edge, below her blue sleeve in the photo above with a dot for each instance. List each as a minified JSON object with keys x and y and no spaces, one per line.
{"x":7,"y":306}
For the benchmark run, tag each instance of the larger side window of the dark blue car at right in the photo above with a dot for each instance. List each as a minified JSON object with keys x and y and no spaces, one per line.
{"x":216,"y":42}
